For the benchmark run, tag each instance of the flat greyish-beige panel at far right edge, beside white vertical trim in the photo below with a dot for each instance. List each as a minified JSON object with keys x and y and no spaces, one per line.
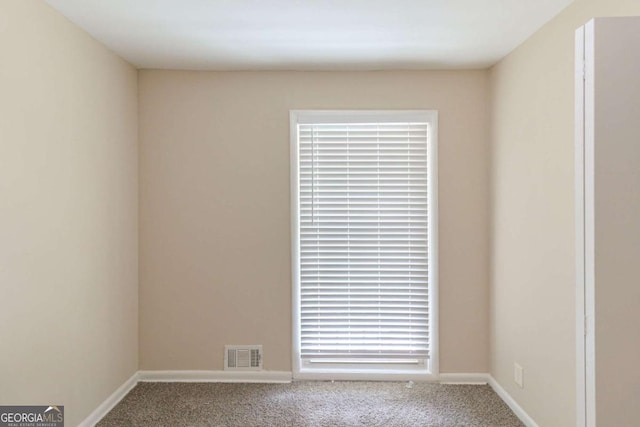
{"x":615,"y":203}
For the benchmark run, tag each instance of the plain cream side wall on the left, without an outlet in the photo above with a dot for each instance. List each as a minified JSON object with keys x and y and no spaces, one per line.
{"x":68,"y":213}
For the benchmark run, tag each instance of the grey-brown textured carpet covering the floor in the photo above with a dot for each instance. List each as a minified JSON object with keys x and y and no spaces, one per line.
{"x":313,"y":403}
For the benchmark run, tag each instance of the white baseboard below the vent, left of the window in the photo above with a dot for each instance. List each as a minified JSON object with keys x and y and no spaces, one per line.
{"x":216,"y":376}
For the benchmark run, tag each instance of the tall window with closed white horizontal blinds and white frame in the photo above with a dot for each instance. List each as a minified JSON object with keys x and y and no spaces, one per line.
{"x":364,"y":242}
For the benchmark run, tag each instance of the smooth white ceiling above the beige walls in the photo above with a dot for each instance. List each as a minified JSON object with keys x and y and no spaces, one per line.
{"x":310,"y":34}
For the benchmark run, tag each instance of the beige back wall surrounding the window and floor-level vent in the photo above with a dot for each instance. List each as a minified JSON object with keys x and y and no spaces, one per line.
{"x":215,"y":217}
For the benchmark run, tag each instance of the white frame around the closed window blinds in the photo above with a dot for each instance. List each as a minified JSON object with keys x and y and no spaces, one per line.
{"x":397,"y":371}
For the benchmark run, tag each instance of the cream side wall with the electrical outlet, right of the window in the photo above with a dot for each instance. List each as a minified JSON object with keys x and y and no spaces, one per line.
{"x":533,"y":256}
